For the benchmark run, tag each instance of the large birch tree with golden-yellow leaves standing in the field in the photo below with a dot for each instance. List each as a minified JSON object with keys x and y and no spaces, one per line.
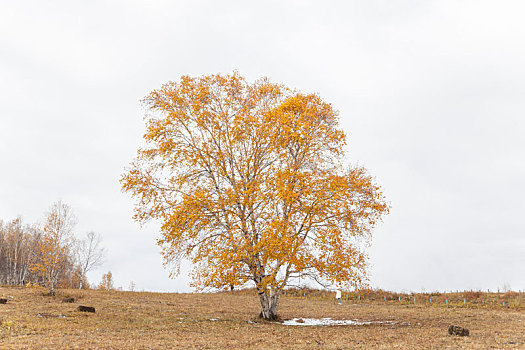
{"x":249,"y":183}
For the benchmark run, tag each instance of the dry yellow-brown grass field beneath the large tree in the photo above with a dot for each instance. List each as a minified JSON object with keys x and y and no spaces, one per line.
{"x":139,"y":320}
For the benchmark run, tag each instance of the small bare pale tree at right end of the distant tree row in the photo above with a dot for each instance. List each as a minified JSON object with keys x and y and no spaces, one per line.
{"x":90,"y":254}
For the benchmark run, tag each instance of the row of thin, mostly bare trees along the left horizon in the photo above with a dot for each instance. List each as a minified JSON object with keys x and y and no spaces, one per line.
{"x":48,"y":253}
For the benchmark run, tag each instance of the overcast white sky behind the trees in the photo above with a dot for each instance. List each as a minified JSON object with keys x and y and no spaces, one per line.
{"x":430,"y":93}
